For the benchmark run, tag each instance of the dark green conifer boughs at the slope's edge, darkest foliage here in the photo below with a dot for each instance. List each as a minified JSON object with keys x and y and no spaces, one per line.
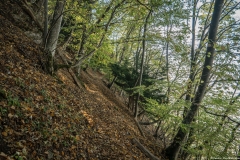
{"x":127,"y":78}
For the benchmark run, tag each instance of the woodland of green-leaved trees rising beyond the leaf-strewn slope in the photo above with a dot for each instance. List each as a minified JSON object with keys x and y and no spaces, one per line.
{"x":175,"y":62}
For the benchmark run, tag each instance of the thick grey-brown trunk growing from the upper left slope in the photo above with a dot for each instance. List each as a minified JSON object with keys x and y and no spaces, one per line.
{"x":52,"y":38}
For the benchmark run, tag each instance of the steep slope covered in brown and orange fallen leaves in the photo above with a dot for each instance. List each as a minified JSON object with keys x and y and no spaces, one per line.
{"x":50,"y":117}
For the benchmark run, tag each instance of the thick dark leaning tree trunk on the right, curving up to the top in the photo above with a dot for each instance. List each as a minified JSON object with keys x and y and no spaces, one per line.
{"x":172,"y":151}
